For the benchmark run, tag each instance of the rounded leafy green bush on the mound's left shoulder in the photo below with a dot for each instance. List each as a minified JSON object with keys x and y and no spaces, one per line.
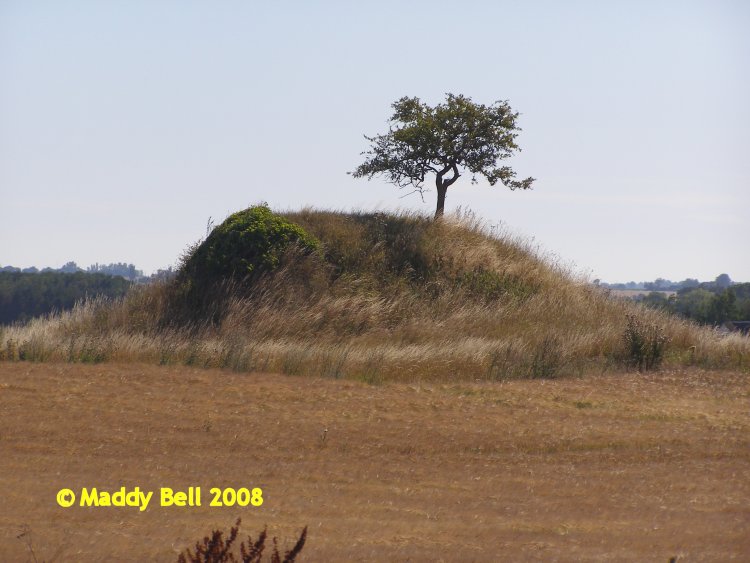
{"x":247,"y":244}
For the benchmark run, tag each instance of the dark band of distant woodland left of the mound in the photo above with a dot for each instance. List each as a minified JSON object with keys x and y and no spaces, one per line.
{"x":27,"y":295}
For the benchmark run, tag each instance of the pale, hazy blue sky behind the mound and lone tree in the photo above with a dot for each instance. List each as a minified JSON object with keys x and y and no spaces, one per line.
{"x":124,"y":126}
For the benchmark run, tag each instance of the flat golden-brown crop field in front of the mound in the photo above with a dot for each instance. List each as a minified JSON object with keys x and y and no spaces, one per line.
{"x":614,"y":467}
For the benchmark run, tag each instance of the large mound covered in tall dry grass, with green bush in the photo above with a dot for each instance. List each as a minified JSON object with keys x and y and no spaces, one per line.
{"x":376,"y":297}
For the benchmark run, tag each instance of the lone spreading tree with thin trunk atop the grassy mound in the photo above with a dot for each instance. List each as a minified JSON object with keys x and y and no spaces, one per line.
{"x":444,"y":140}
